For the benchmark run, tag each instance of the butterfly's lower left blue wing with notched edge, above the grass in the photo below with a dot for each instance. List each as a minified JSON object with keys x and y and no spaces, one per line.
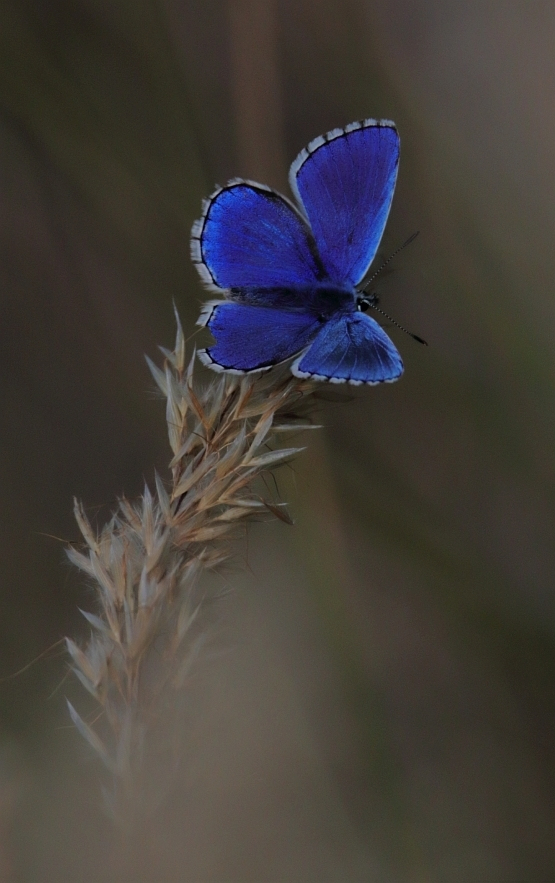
{"x":253,"y":338}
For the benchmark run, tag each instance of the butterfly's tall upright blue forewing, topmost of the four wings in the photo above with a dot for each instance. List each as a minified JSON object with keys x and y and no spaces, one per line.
{"x":345,"y":180}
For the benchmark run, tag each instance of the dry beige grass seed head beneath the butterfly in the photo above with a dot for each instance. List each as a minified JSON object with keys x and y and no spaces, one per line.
{"x":151,"y":616}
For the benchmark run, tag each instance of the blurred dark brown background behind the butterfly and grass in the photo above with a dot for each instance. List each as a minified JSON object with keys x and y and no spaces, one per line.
{"x":385,"y":707}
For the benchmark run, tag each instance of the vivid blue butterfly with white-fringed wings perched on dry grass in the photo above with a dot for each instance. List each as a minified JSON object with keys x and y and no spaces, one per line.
{"x":290,"y":272}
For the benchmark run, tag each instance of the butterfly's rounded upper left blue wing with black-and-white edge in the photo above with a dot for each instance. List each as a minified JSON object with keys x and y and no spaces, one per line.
{"x":249,"y":235}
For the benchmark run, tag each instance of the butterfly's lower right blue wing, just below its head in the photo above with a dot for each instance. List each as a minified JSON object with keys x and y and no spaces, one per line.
{"x":350,"y":349}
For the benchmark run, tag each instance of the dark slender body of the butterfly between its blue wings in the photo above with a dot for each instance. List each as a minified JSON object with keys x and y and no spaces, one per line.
{"x":322,"y":301}
